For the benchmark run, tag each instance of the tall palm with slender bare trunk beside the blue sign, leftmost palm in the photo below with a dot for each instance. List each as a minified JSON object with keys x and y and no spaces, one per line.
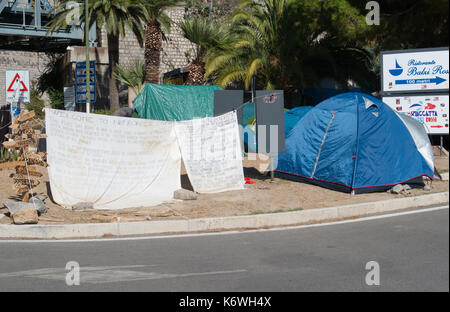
{"x":115,"y":16}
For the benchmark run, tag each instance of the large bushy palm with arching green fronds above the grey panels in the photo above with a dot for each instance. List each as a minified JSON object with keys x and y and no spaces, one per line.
{"x":288,"y":47}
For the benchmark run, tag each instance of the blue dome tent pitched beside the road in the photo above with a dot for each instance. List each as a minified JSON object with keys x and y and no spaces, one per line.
{"x":354,"y":142}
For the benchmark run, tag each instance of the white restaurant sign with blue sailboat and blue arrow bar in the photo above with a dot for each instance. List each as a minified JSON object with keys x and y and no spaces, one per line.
{"x":414,"y":70}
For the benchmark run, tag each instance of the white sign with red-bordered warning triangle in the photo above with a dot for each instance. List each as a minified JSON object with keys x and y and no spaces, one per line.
{"x":17,"y":86}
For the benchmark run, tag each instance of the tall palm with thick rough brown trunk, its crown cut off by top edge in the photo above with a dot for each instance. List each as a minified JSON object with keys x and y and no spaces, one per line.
{"x":156,"y":23}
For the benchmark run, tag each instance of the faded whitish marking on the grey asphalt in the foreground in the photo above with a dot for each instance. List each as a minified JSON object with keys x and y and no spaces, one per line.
{"x":108,"y":274}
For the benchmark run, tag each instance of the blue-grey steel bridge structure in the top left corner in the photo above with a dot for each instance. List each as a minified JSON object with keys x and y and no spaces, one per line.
{"x":23,"y":27}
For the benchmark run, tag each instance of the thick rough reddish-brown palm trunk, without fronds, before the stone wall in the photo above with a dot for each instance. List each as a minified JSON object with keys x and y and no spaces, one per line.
{"x":153,"y":48}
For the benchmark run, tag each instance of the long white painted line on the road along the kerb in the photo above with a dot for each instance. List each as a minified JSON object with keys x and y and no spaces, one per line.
{"x":284,"y":228}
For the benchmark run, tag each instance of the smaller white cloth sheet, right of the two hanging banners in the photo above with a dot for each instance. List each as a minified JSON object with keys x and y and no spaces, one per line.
{"x":212,"y":153}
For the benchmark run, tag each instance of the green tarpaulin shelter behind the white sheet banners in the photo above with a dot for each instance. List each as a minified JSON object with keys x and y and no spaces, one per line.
{"x":175,"y":102}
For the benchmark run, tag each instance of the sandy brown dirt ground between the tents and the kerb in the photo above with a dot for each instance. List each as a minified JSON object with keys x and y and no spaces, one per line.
{"x":262,"y":197}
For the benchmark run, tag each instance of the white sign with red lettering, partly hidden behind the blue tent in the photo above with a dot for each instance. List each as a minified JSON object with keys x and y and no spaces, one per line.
{"x":431,"y":110}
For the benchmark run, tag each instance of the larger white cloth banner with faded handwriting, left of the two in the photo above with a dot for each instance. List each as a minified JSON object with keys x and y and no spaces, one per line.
{"x":113,"y":162}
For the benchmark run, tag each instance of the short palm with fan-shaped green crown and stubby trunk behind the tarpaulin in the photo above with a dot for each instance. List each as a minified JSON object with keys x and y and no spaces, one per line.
{"x":205,"y":35}
